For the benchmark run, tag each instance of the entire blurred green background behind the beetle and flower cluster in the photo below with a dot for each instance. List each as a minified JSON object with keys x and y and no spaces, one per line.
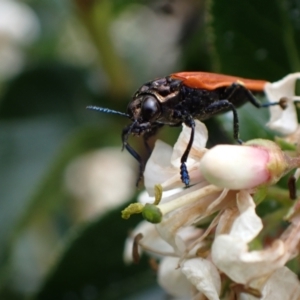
{"x":63,"y":177}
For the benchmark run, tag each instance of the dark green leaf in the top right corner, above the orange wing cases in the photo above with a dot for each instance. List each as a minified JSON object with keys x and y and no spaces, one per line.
{"x":255,"y":38}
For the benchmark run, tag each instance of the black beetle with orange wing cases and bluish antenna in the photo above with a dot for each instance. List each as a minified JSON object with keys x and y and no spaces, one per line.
{"x":181,"y":98}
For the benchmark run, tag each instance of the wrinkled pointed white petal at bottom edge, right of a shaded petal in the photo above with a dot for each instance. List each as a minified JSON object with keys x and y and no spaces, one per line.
{"x":204,"y":275}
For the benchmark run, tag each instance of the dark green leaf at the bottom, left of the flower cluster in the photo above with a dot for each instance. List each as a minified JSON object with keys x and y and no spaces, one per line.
{"x":92,"y":261}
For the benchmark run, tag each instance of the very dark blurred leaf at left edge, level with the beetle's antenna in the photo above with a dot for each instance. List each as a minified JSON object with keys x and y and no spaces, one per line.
{"x":46,"y":89}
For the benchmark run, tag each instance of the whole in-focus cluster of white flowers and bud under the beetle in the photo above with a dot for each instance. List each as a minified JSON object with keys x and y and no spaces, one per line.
{"x":209,"y":240}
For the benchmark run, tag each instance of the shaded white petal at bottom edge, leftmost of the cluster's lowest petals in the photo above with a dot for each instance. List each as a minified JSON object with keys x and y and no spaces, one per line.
{"x":172,"y":280}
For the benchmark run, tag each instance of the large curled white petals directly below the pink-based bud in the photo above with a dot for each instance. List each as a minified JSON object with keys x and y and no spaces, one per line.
{"x":230,"y":251}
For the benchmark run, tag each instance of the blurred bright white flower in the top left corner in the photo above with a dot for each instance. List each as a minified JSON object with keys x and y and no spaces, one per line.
{"x":19,"y":27}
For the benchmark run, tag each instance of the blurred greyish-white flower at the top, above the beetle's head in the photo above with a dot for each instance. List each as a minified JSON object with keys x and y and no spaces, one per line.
{"x":136,"y":29}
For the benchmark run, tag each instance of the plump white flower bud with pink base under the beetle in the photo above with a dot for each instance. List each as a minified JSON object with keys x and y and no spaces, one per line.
{"x":236,"y":167}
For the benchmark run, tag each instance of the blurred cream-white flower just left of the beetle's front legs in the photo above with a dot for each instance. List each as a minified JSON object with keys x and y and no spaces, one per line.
{"x":92,"y":180}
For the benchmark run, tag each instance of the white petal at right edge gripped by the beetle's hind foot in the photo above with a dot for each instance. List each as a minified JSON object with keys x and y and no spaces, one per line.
{"x":283,"y":120}
